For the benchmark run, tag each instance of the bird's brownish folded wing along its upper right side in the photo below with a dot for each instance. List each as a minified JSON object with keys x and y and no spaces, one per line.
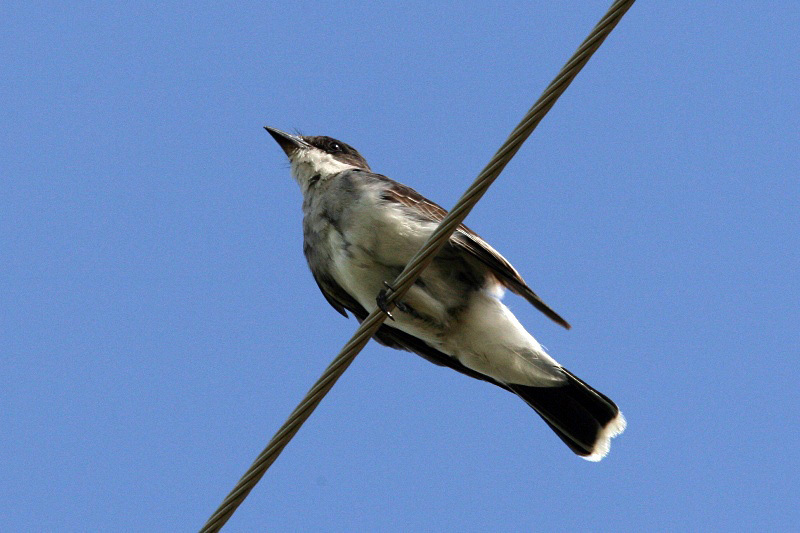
{"x":467,"y":240}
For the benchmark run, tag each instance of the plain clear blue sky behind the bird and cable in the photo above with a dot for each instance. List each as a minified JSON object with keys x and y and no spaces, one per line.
{"x":158,"y":322}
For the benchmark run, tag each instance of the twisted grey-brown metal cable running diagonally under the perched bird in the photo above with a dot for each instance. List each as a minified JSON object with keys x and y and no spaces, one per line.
{"x":418,"y":263}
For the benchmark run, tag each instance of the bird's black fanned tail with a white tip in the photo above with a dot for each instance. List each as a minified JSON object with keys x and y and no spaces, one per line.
{"x":586,"y":420}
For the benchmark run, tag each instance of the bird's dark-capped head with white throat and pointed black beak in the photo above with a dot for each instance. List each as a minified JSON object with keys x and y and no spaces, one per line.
{"x":317,"y":158}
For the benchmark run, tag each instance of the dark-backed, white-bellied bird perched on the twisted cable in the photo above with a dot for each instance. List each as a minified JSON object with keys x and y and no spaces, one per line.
{"x":360,"y":229}
